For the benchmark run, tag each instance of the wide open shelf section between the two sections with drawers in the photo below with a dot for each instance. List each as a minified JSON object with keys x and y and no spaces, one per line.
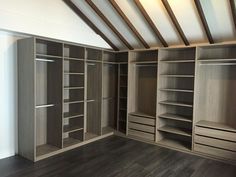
{"x":175,"y":97}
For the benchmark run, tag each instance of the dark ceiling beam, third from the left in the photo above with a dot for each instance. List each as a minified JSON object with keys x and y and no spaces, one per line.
{"x":128,"y":22}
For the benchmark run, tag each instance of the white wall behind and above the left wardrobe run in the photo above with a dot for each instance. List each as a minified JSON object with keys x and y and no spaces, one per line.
{"x":49,"y":18}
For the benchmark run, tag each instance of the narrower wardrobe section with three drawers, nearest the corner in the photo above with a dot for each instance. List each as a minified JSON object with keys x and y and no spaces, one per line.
{"x":142,"y":94}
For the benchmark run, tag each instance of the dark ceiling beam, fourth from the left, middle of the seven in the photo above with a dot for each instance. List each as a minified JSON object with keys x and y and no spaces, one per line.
{"x":150,"y":22}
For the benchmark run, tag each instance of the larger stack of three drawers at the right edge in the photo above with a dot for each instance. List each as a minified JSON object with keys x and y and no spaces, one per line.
{"x":215,"y":139}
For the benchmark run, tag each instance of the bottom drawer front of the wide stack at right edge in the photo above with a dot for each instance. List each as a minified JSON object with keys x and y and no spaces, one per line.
{"x":215,"y":152}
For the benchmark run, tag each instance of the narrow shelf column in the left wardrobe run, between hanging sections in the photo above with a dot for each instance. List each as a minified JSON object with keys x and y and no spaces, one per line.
{"x":73,"y":94}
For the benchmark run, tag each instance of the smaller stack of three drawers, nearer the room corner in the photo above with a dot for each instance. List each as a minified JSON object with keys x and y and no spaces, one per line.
{"x":141,"y":127}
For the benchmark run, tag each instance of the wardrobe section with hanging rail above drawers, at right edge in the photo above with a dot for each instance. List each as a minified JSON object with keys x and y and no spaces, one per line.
{"x":215,"y":100}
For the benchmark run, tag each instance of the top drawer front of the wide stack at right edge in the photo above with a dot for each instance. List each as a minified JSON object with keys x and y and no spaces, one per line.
{"x":215,"y":133}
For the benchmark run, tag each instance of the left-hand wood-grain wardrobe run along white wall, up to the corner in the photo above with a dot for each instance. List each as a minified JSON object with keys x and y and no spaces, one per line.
{"x":69,"y":95}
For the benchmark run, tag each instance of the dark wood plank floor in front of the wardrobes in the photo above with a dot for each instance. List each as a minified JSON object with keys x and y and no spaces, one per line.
{"x":117,"y":157}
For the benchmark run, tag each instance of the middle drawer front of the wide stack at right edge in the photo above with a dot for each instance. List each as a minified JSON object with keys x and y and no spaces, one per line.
{"x":215,"y":142}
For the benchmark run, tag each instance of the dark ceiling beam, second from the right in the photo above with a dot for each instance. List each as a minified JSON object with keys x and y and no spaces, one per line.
{"x":204,"y":21}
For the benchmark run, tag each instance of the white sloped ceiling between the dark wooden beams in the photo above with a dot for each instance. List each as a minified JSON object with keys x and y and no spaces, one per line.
{"x":217,"y":12}
